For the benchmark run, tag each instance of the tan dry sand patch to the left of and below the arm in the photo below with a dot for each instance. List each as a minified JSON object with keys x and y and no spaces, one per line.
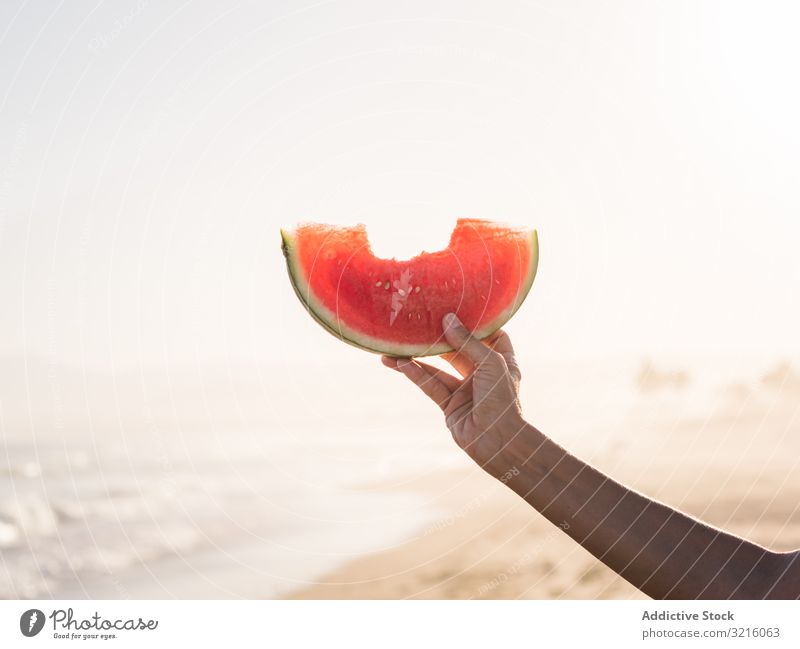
{"x":490,"y":545}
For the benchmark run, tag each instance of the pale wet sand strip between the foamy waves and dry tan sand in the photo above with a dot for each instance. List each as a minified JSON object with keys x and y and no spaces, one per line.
{"x":269,"y":567}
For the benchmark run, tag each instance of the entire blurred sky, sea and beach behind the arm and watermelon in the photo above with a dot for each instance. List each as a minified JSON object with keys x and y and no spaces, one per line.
{"x":173,"y":424}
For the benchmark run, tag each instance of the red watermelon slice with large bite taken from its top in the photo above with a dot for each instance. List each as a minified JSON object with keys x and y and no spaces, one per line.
{"x":395,"y":307}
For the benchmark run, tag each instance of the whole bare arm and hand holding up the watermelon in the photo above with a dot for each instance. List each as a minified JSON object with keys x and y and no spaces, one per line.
{"x":663,"y":552}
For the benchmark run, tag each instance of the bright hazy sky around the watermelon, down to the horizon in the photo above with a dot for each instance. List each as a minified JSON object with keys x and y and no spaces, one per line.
{"x":150,"y":151}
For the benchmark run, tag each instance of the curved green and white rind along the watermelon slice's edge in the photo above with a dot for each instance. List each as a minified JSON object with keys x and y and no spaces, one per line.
{"x":329,"y":321}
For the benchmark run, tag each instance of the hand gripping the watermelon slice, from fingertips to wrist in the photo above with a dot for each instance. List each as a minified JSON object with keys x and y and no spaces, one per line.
{"x":482,"y":408}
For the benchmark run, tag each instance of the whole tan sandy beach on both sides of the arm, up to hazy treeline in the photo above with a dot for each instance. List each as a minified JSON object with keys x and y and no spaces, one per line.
{"x":735,"y":468}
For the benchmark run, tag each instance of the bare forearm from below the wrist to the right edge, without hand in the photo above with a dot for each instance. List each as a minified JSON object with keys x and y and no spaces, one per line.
{"x":660,"y":550}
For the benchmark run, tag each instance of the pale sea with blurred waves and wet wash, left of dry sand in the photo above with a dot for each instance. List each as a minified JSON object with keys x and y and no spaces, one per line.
{"x":227,"y":514}
